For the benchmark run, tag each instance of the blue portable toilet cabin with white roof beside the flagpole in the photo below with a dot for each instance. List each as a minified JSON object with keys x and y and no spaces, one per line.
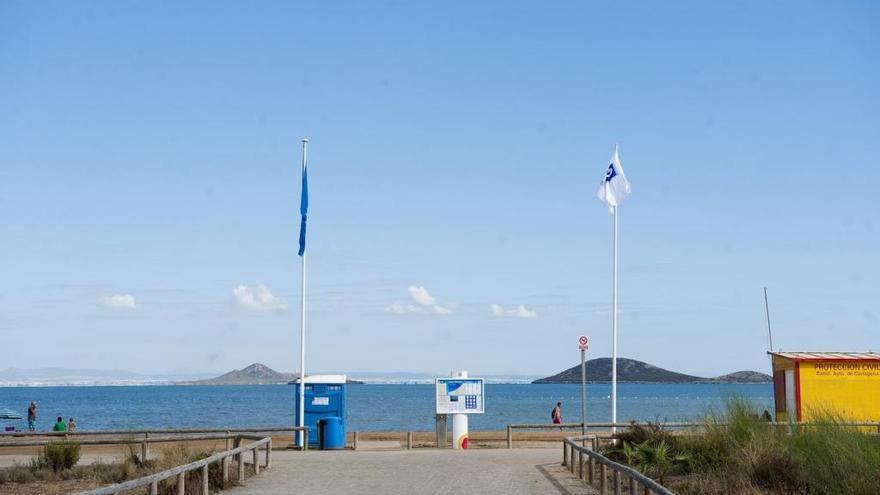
{"x":325,"y":397}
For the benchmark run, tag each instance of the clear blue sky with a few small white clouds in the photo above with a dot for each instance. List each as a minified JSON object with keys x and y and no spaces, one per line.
{"x":150,"y":181}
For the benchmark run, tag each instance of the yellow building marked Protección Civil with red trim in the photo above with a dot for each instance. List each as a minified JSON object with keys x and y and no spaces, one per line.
{"x":809,"y":383}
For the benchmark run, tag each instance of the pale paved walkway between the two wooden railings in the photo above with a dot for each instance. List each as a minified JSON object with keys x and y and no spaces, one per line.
{"x":429,"y":471}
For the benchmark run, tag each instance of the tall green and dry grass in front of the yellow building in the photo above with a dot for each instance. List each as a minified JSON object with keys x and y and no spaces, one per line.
{"x":739,"y":452}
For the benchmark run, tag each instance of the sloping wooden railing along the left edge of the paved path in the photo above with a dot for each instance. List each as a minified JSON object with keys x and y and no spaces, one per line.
{"x":152,"y":481}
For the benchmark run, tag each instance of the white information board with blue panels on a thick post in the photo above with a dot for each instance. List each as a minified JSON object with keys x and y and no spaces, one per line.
{"x":460,"y":396}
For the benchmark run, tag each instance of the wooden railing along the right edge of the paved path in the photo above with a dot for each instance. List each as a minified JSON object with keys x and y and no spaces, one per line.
{"x":621,"y":476}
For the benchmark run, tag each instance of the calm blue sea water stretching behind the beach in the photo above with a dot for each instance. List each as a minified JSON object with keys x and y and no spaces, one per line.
{"x":370,"y":407}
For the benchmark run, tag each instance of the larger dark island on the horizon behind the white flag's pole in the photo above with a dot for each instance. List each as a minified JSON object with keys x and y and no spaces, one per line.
{"x":631,"y":370}
